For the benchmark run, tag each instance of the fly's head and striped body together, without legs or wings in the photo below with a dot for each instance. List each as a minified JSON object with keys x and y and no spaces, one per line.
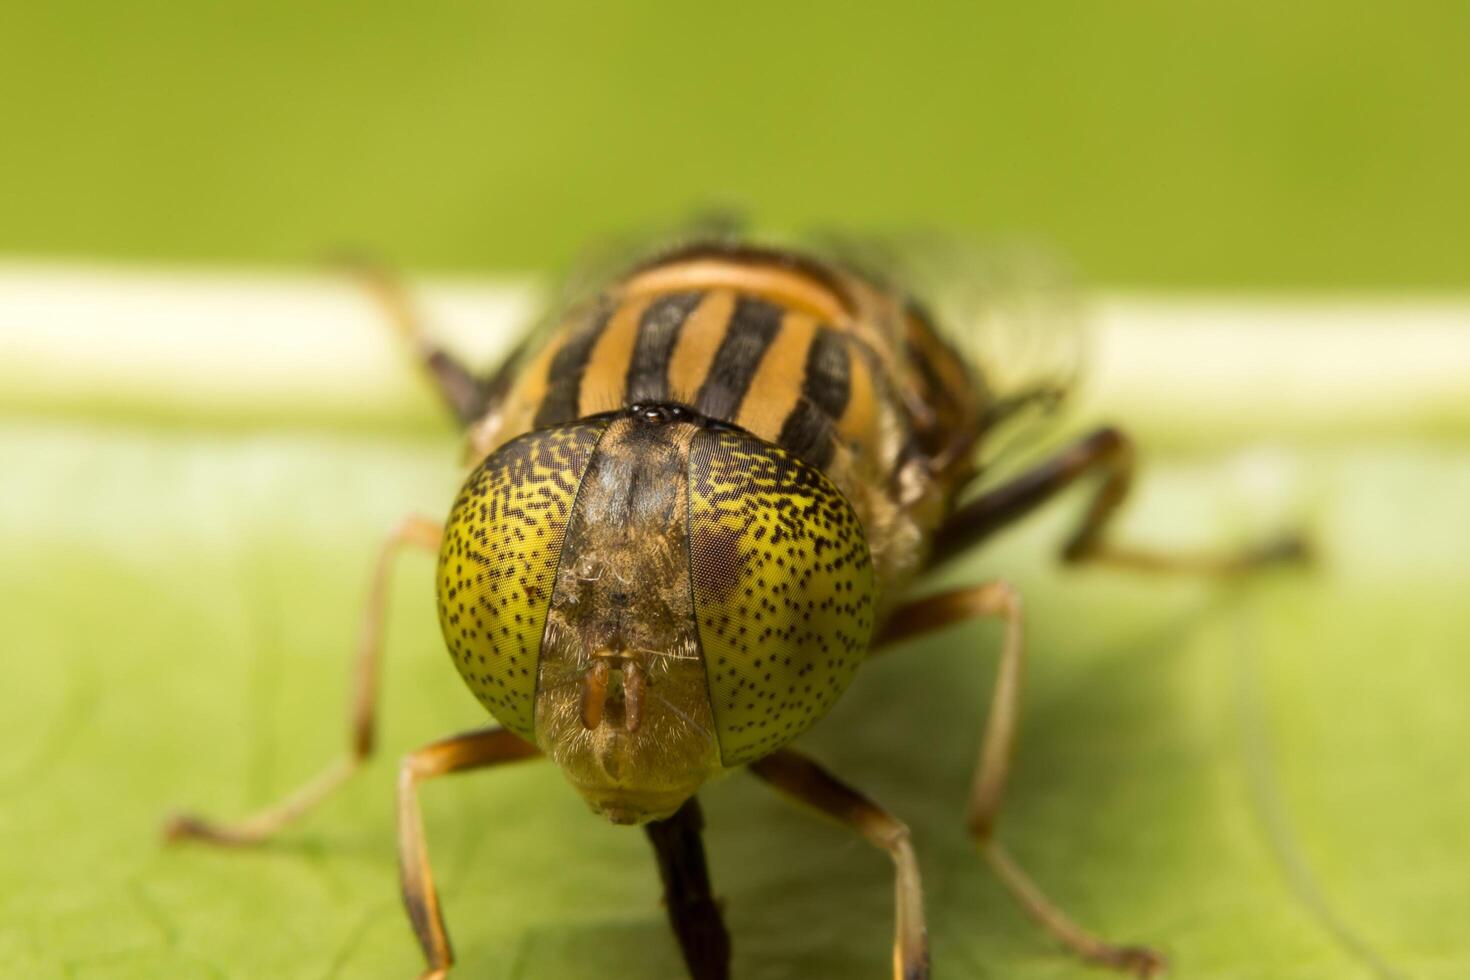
{"x":695,"y":499}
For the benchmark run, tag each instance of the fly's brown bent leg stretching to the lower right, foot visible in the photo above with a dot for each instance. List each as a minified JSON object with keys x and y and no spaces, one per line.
{"x":989,"y":787}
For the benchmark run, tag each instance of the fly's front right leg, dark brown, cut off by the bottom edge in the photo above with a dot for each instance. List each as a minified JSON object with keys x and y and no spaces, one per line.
{"x":800,"y":778}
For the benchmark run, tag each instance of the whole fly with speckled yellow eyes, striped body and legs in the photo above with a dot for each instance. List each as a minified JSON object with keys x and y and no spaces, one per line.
{"x":699,"y":500}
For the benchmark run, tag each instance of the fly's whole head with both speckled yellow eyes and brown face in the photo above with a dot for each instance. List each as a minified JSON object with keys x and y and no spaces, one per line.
{"x":653,"y":600}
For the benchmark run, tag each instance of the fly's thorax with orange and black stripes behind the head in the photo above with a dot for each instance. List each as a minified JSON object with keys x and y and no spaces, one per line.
{"x":843,"y":374}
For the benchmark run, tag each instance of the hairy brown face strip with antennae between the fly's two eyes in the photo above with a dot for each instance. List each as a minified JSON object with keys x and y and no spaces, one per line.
{"x":624,"y":707}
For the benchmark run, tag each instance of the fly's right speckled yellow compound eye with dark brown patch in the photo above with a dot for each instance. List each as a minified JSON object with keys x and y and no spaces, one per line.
{"x":783,"y":590}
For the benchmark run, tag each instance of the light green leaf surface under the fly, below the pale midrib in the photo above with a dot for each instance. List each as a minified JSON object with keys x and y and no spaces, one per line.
{"x":1208,"y":769}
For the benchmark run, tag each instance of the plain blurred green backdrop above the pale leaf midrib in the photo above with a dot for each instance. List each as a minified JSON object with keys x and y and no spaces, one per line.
{"x":1222,"y":145}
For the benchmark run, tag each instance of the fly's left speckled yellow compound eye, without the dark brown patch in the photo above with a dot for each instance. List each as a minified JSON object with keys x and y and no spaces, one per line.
{"x":499,"y":561}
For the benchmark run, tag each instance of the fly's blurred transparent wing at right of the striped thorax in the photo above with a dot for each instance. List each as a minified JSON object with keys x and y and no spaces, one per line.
{"x":1015,"y":314}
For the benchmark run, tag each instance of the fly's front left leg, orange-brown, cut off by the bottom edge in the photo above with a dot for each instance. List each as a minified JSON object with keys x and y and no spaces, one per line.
{"x":458,"y":754}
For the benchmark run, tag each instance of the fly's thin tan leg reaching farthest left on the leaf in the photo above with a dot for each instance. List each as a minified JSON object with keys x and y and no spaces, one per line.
{"x":420,"y":533}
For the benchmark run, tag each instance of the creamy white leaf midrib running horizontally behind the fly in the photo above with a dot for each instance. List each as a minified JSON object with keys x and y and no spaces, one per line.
{"x":254,"y":346}
